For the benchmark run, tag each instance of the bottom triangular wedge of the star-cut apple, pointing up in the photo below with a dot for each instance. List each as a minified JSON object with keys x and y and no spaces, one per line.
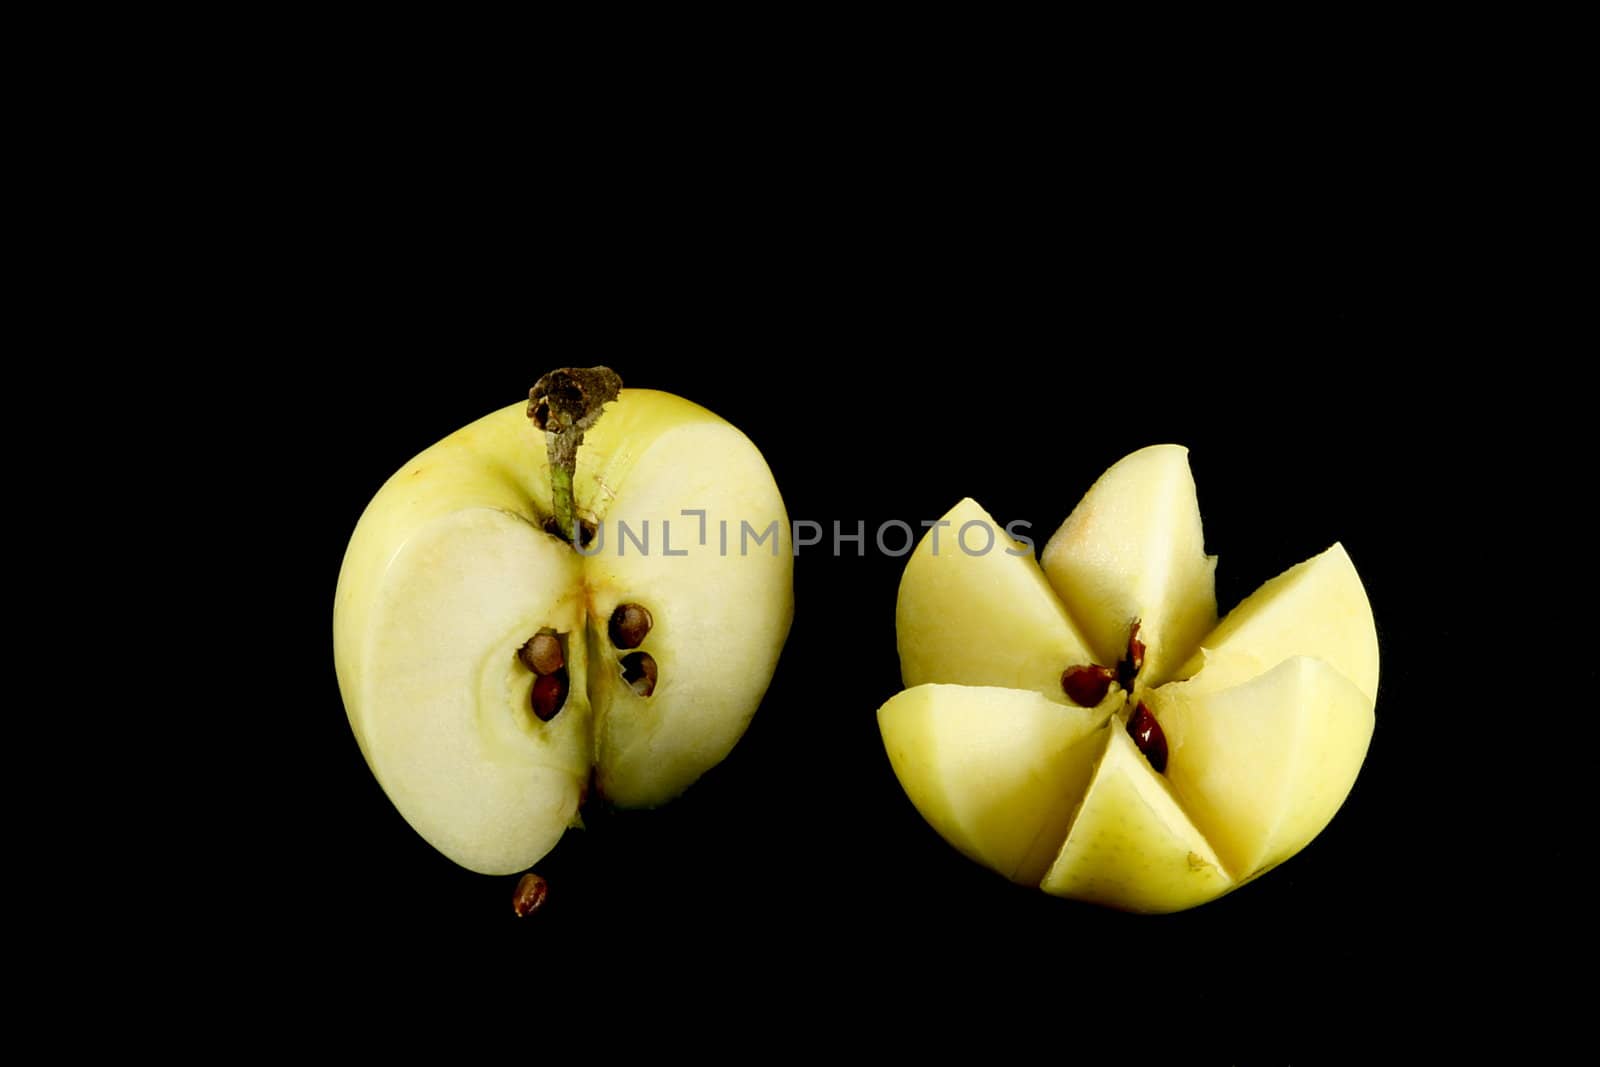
{"x":1132,"y":847}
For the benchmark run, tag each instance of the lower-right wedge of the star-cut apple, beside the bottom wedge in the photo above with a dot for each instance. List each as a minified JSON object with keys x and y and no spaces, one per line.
{"x":1263,"y":767}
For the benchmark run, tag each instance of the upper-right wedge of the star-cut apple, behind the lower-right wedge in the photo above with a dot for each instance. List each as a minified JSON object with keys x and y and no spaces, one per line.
{"x":1318,"y":609}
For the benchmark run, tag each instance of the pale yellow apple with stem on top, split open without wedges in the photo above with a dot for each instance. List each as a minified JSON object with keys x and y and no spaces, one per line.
{"x":450,"y":570}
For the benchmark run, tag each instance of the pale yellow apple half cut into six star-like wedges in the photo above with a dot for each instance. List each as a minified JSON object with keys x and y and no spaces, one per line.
{"x":1086,"y":725}
